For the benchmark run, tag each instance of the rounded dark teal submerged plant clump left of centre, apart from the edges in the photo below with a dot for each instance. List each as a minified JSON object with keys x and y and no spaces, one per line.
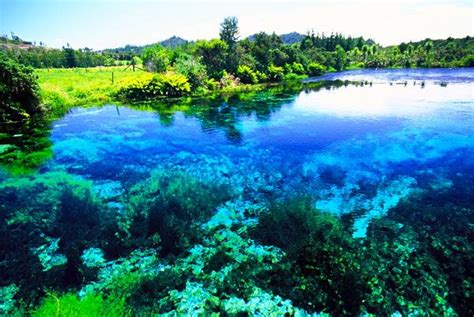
{"x":166,"y":208}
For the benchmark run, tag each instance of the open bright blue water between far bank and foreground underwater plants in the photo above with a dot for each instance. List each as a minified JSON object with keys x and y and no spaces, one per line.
{"x":356,"y":150}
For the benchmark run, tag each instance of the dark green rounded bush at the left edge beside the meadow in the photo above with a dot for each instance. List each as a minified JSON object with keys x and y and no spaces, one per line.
{"x":18,"y":91}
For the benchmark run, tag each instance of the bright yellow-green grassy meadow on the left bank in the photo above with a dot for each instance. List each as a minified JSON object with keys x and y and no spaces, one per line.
{"x":62,"y":89}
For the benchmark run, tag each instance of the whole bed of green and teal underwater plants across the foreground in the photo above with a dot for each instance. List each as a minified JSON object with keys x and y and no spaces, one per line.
{"x":280,"y":257}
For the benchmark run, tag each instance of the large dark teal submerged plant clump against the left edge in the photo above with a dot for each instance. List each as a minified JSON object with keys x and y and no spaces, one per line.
{"x":46,"y":222}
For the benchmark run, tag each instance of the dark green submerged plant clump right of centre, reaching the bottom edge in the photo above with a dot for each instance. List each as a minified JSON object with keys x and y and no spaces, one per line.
{"x":320,"y":265}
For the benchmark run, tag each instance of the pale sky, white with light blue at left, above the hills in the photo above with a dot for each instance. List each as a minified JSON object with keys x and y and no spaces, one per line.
{"x":103,"y":24}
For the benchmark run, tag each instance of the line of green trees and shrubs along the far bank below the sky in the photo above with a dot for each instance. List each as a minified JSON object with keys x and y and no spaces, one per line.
{"x":262,"y":57}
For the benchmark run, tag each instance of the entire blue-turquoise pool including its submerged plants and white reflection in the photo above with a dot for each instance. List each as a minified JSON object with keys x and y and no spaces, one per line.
{"x":369,"y":155}
